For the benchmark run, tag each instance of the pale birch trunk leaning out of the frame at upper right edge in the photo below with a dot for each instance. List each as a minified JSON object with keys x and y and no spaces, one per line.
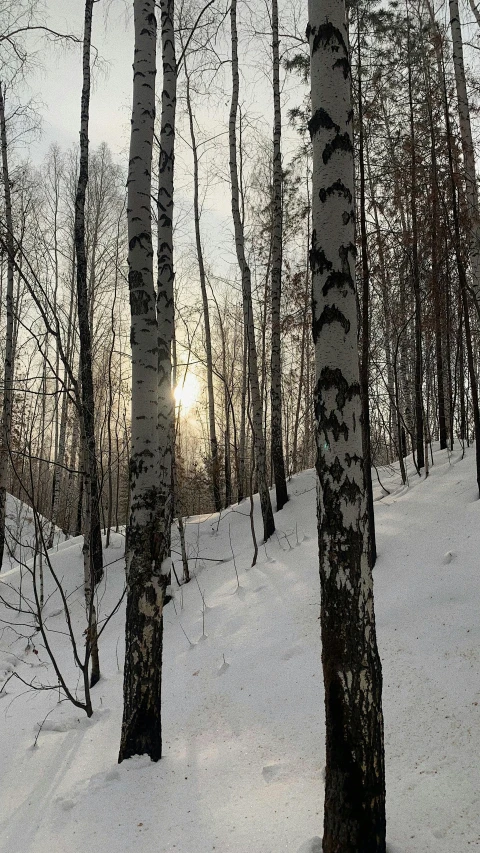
{"x":471,"y":190}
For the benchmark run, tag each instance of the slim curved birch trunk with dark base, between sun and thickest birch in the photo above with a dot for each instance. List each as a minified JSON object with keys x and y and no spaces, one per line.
{"x":257,"y":420}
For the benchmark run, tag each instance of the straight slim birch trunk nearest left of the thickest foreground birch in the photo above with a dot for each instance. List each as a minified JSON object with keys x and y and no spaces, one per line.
{"x":277,"y":229}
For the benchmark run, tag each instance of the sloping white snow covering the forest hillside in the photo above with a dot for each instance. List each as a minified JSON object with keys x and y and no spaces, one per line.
{"x":243,"y":699}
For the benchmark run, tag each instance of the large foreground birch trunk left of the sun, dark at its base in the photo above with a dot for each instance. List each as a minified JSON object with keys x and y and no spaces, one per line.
{"x":146,"y":582}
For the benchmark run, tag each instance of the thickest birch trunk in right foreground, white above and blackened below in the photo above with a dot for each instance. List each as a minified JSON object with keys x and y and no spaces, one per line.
{"x":354,"y":817}
